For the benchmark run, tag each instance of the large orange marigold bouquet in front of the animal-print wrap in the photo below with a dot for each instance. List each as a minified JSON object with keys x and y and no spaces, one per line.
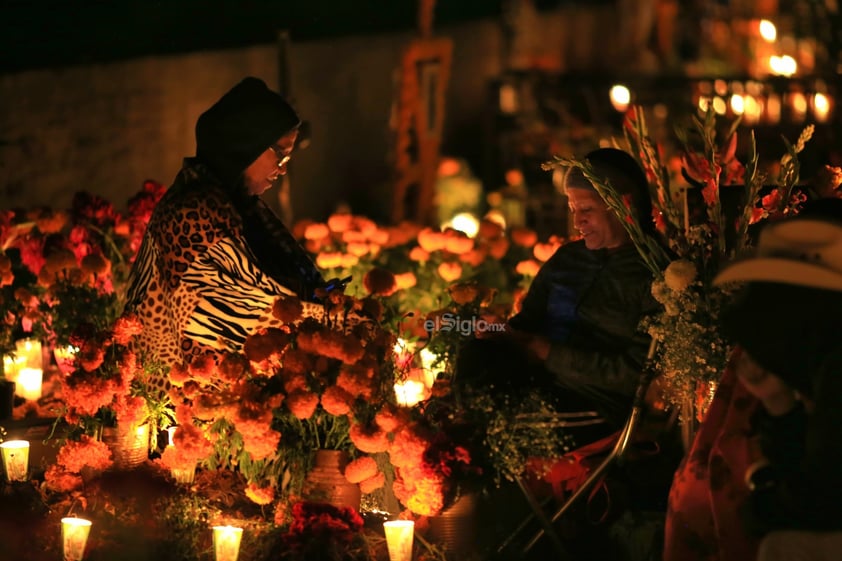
{"x":304,"y":386}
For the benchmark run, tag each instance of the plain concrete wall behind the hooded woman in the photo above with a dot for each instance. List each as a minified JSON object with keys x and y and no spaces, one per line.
{"x":106,"y":128}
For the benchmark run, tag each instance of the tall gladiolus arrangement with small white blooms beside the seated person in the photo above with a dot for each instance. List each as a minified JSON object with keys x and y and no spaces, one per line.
{"x":701,"y":227}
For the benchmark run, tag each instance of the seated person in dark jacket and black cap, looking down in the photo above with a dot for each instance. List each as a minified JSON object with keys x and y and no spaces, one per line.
{"x":578,"y":325}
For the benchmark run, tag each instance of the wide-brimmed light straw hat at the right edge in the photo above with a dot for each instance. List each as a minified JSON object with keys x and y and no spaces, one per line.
{"x":802,"y":251}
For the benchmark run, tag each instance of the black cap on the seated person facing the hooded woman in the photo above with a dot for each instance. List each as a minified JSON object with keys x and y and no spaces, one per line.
{"x":624,"y":175}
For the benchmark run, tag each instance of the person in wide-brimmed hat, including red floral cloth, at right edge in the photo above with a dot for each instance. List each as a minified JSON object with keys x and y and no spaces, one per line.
{"x":787,"y":324}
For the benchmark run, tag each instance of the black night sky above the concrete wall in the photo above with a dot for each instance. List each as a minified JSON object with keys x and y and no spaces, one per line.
{"x":50,"y":33}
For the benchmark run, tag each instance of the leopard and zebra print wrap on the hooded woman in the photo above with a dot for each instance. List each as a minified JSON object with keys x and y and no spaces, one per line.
{"x":196,"y":283}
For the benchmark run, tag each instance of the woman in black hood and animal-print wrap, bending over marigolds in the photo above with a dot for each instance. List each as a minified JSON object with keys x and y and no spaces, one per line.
{"x":214,"y":257}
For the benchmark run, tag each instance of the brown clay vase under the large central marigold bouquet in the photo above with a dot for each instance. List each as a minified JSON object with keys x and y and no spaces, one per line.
{"x":326,"y":481}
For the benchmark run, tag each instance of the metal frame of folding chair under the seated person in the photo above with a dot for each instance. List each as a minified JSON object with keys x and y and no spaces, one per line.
{"x":621,"y":442}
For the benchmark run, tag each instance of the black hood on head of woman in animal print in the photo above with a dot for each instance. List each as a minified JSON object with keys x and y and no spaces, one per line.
{"x":240,"y":126}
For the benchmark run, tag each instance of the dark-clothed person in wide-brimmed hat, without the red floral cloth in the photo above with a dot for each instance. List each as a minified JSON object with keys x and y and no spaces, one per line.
{"x":788,"y":321}
